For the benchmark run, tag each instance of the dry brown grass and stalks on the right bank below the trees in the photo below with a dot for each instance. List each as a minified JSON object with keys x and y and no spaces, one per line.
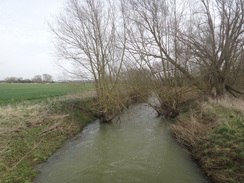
{"x":192,"y":128}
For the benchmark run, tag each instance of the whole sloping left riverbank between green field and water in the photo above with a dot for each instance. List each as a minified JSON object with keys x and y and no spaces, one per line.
{"x":30,"y":132}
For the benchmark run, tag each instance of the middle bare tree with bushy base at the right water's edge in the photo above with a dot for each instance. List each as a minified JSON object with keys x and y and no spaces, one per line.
{"x":153,"y":45}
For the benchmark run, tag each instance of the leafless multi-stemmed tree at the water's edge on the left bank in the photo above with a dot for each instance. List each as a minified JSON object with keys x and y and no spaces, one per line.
{"x":90,"y":36}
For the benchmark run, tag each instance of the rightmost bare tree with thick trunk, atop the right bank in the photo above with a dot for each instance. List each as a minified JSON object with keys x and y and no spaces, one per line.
{"x":216,"y":39}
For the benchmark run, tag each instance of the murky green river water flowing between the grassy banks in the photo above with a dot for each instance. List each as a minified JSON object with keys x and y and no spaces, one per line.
{"x":136,"y":147}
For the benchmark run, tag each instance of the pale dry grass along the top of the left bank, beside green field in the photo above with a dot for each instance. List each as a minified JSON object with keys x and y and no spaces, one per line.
{"x":23,"y":116}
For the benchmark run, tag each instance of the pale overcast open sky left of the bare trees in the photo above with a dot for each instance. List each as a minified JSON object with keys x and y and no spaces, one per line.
{"x":25,"y":38}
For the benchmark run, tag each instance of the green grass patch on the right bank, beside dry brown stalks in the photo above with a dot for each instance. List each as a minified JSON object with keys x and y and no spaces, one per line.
{"x":225,"y":148}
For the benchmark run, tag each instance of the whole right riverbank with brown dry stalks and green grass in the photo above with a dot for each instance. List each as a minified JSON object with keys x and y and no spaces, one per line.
{"x":213,"y":133}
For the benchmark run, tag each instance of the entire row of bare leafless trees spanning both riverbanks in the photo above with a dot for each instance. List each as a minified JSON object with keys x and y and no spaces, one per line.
{"x":162,"y":48}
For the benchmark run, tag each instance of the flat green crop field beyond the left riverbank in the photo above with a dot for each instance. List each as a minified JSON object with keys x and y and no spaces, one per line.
{"x":16,"y":92}
